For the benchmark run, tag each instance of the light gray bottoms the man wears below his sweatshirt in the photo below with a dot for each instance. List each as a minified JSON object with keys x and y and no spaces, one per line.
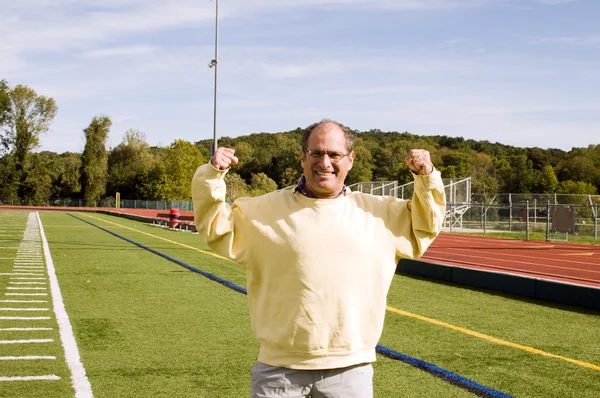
{"x":351,"y":382}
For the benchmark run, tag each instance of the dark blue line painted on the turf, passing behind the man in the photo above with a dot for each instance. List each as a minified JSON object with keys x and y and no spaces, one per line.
{"x":446,"y":375}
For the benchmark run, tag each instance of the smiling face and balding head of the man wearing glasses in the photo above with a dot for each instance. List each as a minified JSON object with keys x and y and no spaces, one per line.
{"x":324,"y":177}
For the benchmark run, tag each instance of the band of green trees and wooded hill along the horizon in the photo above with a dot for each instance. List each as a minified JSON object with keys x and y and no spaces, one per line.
{"x":267,"y":161}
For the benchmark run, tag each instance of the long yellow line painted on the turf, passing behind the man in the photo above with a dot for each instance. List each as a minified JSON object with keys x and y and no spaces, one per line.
{"x":406,"y":313}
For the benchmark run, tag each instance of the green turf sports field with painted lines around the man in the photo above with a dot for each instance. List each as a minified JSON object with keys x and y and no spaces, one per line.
{"x":147,"y":327}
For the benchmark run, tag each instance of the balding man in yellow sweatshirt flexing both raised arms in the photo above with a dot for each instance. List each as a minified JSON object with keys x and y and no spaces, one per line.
{"x":319,"y":260}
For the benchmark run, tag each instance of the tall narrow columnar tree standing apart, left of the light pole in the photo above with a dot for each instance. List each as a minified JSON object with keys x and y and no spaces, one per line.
{"x":94,"y":160}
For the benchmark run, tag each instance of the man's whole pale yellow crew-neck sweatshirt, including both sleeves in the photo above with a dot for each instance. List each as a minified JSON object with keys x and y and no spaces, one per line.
{"x":318,"y":270}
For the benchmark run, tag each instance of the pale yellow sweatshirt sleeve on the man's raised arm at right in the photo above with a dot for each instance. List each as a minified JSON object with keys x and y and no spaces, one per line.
{"x":426,"y":212}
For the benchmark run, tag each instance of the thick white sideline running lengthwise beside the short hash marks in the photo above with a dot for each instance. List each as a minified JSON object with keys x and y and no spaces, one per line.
{"x":79,"y":379}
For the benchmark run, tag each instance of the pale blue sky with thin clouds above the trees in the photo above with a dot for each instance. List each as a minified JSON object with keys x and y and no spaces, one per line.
{"x":518,"y":72}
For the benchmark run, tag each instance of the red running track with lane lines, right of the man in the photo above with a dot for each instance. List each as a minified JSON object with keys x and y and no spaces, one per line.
{"x":559,"y":261}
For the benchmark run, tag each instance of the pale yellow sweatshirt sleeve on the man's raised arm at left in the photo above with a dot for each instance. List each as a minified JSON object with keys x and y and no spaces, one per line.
{"x":216,"y":221}
